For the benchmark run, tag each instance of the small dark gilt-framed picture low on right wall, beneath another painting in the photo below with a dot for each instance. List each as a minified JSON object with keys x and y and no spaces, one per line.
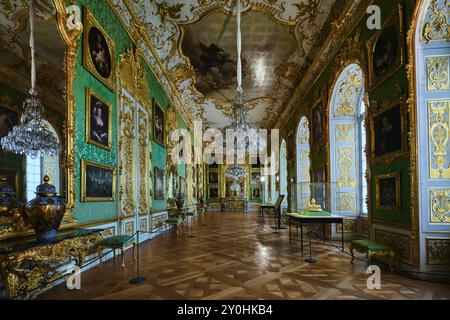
{"x":387,"y":190}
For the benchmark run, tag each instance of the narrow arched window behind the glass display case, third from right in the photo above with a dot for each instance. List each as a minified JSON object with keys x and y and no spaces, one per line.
{"x":303,"y":164}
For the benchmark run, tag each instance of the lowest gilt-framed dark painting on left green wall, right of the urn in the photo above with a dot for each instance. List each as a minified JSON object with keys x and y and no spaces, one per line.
{"x":87,"y":194}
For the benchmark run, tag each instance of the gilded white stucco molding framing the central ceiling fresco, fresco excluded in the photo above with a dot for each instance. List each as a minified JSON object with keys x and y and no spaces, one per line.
{"x":158,"y":25}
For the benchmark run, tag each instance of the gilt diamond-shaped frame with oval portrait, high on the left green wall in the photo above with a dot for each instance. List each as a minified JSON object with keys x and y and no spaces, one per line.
{"x":103,"y":66}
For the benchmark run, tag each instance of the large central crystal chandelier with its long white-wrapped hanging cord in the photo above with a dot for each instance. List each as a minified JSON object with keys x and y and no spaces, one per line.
{"x":238,"y":118}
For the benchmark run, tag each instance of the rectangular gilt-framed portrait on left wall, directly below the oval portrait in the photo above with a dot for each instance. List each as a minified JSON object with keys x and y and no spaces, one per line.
{"x":90,"y":137}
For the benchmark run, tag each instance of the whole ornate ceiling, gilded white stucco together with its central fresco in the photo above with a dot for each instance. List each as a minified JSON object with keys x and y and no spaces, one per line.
{"x":162,"y":26}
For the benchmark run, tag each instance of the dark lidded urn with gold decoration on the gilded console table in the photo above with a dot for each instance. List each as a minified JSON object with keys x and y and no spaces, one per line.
{"x":45,"y":212}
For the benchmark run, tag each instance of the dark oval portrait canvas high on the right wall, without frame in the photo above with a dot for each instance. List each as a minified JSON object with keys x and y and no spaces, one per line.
{"x":386,"y":51}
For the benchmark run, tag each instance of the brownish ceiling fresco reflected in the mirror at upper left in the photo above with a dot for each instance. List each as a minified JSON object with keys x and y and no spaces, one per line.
{"x":15,"y":53}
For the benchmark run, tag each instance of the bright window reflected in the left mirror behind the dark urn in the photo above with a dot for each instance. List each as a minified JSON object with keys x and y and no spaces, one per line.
{"x":37,"y":168}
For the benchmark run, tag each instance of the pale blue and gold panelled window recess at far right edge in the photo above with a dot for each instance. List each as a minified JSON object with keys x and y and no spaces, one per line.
{"x":432,"y":119}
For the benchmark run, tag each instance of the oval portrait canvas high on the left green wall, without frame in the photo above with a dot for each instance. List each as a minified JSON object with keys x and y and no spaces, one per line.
{"x":99,"y":52}
